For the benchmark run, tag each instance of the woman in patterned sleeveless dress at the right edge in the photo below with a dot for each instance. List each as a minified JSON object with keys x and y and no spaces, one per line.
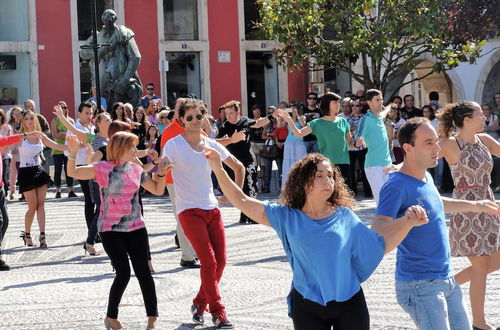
{"x":474,"y":235}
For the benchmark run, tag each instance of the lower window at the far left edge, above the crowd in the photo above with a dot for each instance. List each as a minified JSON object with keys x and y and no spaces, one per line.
{"x":15,"y":82}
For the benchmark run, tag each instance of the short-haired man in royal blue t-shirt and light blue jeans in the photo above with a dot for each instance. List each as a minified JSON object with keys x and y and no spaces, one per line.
{"x":425,"y":288}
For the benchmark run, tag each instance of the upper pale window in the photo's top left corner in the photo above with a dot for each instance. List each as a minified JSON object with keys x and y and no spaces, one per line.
{"x":14,"y":21}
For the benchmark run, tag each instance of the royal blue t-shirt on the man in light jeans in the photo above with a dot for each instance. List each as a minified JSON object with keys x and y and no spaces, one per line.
{"x":425,"y":252}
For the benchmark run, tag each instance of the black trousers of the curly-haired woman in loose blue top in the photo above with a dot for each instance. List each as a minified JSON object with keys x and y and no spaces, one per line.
{"x":351,"y":314}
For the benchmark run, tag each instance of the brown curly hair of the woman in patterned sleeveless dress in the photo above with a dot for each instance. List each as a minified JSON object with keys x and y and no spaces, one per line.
{"x":454,"y":114}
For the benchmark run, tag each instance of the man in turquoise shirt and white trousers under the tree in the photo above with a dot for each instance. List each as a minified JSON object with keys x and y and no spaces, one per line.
{"x":372,"y":132}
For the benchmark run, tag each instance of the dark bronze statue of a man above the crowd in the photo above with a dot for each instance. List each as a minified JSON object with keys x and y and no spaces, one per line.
{"x":118,"y":61}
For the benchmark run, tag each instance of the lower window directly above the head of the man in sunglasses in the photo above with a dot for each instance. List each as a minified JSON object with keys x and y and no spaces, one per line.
{"x":183,"y":77}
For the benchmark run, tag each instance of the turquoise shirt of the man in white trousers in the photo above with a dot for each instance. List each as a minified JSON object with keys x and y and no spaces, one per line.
{"x":372,"y":129}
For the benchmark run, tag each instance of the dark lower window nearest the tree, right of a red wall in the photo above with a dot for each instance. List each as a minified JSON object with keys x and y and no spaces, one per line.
{"x":262,"y":80}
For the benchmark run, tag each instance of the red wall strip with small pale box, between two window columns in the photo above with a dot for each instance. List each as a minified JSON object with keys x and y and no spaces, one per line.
{"x":225,"y":78}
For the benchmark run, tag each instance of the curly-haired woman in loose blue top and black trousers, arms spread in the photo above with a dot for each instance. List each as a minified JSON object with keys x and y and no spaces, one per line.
{"x":330,"y":250}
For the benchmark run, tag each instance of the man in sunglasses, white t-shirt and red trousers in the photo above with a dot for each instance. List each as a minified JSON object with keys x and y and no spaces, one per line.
{"x":197,"y":207}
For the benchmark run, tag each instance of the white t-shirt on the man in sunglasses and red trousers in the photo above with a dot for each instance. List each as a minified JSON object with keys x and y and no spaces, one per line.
{"x":192,"y":174}
